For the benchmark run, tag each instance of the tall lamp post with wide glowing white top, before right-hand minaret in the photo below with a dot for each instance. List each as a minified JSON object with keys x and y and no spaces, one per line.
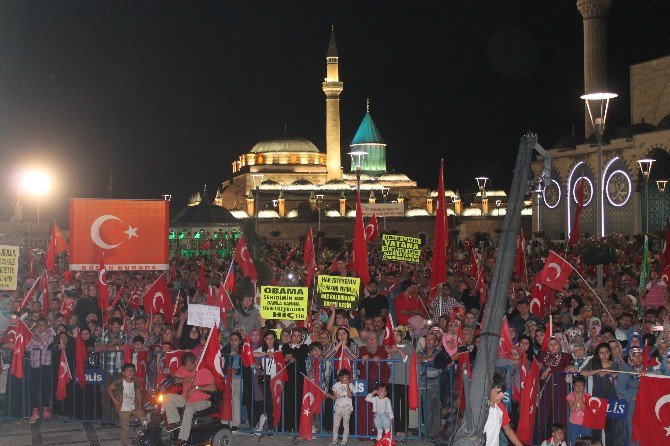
{"x":597,"y":104}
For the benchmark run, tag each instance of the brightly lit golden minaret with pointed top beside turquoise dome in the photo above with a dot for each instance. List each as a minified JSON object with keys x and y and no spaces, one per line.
{"x":332,"y":87}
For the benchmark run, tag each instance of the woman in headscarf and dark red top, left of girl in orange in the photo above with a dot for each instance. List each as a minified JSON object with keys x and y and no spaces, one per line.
{"x":552,"y":362}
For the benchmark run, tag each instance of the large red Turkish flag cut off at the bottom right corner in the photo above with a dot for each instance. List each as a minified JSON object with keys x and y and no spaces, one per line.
{"x":651,"y":419}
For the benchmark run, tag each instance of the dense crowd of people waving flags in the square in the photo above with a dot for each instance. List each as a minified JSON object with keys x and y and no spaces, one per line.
{"x":590,"y":340}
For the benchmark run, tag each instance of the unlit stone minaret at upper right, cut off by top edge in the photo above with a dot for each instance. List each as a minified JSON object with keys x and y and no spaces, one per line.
{"x":594,"y":13}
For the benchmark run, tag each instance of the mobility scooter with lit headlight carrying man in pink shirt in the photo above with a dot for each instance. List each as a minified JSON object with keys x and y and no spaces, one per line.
{"x":205,"y":430}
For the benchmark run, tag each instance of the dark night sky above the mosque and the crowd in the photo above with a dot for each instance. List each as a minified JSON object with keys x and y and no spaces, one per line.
{"x":167,"y":94}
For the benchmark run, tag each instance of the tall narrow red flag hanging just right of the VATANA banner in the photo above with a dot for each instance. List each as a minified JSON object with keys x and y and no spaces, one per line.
{"x":438,"y":266}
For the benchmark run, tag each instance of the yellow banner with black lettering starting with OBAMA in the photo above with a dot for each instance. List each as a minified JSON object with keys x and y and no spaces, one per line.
{"x":284,"y":302}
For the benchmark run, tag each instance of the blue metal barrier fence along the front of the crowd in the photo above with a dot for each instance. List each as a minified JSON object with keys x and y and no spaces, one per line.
{"x":436,"y":418}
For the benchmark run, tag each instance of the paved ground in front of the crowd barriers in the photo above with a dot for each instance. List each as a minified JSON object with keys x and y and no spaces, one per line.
{"x":21,"y":433}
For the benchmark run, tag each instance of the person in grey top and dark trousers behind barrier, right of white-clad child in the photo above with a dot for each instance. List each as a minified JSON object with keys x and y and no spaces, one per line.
{"x":400,"y":351}
